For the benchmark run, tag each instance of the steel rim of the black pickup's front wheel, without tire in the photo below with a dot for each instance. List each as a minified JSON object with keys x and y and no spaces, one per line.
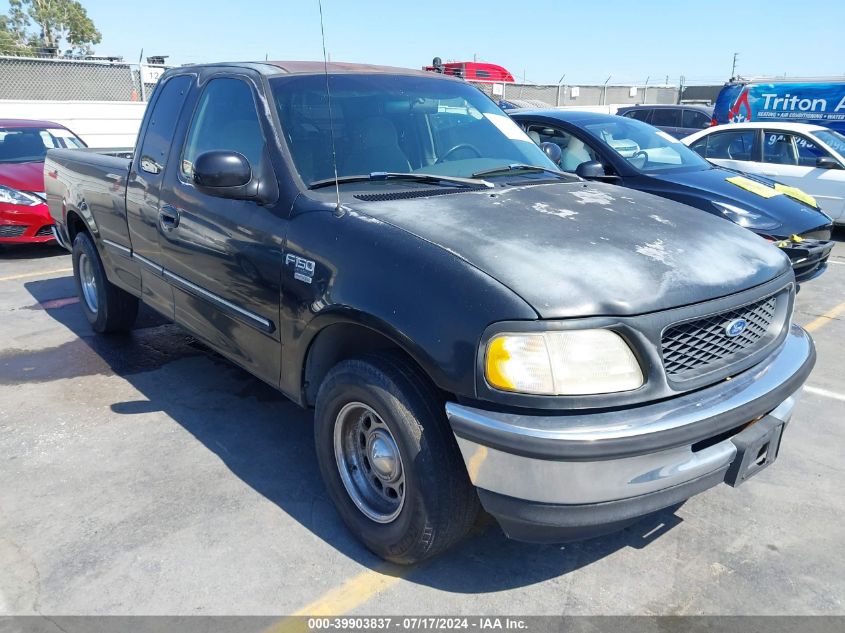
{"x":369,"y":462}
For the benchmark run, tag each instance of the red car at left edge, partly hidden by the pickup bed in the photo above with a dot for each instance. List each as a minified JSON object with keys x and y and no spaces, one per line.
{"x":24,"y":216}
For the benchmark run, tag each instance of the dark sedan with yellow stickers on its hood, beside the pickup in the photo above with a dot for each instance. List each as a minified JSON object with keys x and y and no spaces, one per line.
{"x":634,"y":154}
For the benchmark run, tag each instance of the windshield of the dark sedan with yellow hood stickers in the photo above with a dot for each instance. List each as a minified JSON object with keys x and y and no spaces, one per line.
{"x":646,"y":148}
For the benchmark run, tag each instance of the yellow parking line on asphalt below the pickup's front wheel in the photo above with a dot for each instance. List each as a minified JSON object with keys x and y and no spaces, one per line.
{"x":346,"y":597}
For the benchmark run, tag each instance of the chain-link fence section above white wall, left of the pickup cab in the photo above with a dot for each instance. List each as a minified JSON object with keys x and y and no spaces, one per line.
{"x":32,"y":78}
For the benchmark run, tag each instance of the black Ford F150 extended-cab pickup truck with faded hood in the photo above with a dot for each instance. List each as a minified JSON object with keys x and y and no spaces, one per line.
{"x":469,"y":323}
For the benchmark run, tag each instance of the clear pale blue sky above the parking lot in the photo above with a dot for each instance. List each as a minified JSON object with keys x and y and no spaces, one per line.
{"x":542,"y":40}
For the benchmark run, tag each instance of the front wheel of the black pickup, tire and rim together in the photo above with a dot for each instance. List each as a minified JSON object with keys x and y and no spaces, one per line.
{"x":389,"y":460}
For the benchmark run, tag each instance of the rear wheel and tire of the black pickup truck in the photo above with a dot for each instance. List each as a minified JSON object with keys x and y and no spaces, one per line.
{"x":113,"y":309}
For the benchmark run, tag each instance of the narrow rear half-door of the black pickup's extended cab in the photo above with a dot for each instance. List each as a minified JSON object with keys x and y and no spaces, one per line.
{"x":144,"y":185}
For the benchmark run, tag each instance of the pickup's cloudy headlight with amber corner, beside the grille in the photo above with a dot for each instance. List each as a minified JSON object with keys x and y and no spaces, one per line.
{"x":566,"y":363}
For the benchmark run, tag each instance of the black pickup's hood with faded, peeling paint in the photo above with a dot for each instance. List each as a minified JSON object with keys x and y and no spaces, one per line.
{"x":583,"y":249}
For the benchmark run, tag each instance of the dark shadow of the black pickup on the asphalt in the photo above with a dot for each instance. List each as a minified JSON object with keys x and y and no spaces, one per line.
{"x":267,"y":442}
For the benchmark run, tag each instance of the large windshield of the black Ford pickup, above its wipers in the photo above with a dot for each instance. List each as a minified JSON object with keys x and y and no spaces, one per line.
{"x":389,"y":123}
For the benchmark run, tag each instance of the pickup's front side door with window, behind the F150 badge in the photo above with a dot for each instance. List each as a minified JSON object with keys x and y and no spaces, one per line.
{"x":222,"y":256}
